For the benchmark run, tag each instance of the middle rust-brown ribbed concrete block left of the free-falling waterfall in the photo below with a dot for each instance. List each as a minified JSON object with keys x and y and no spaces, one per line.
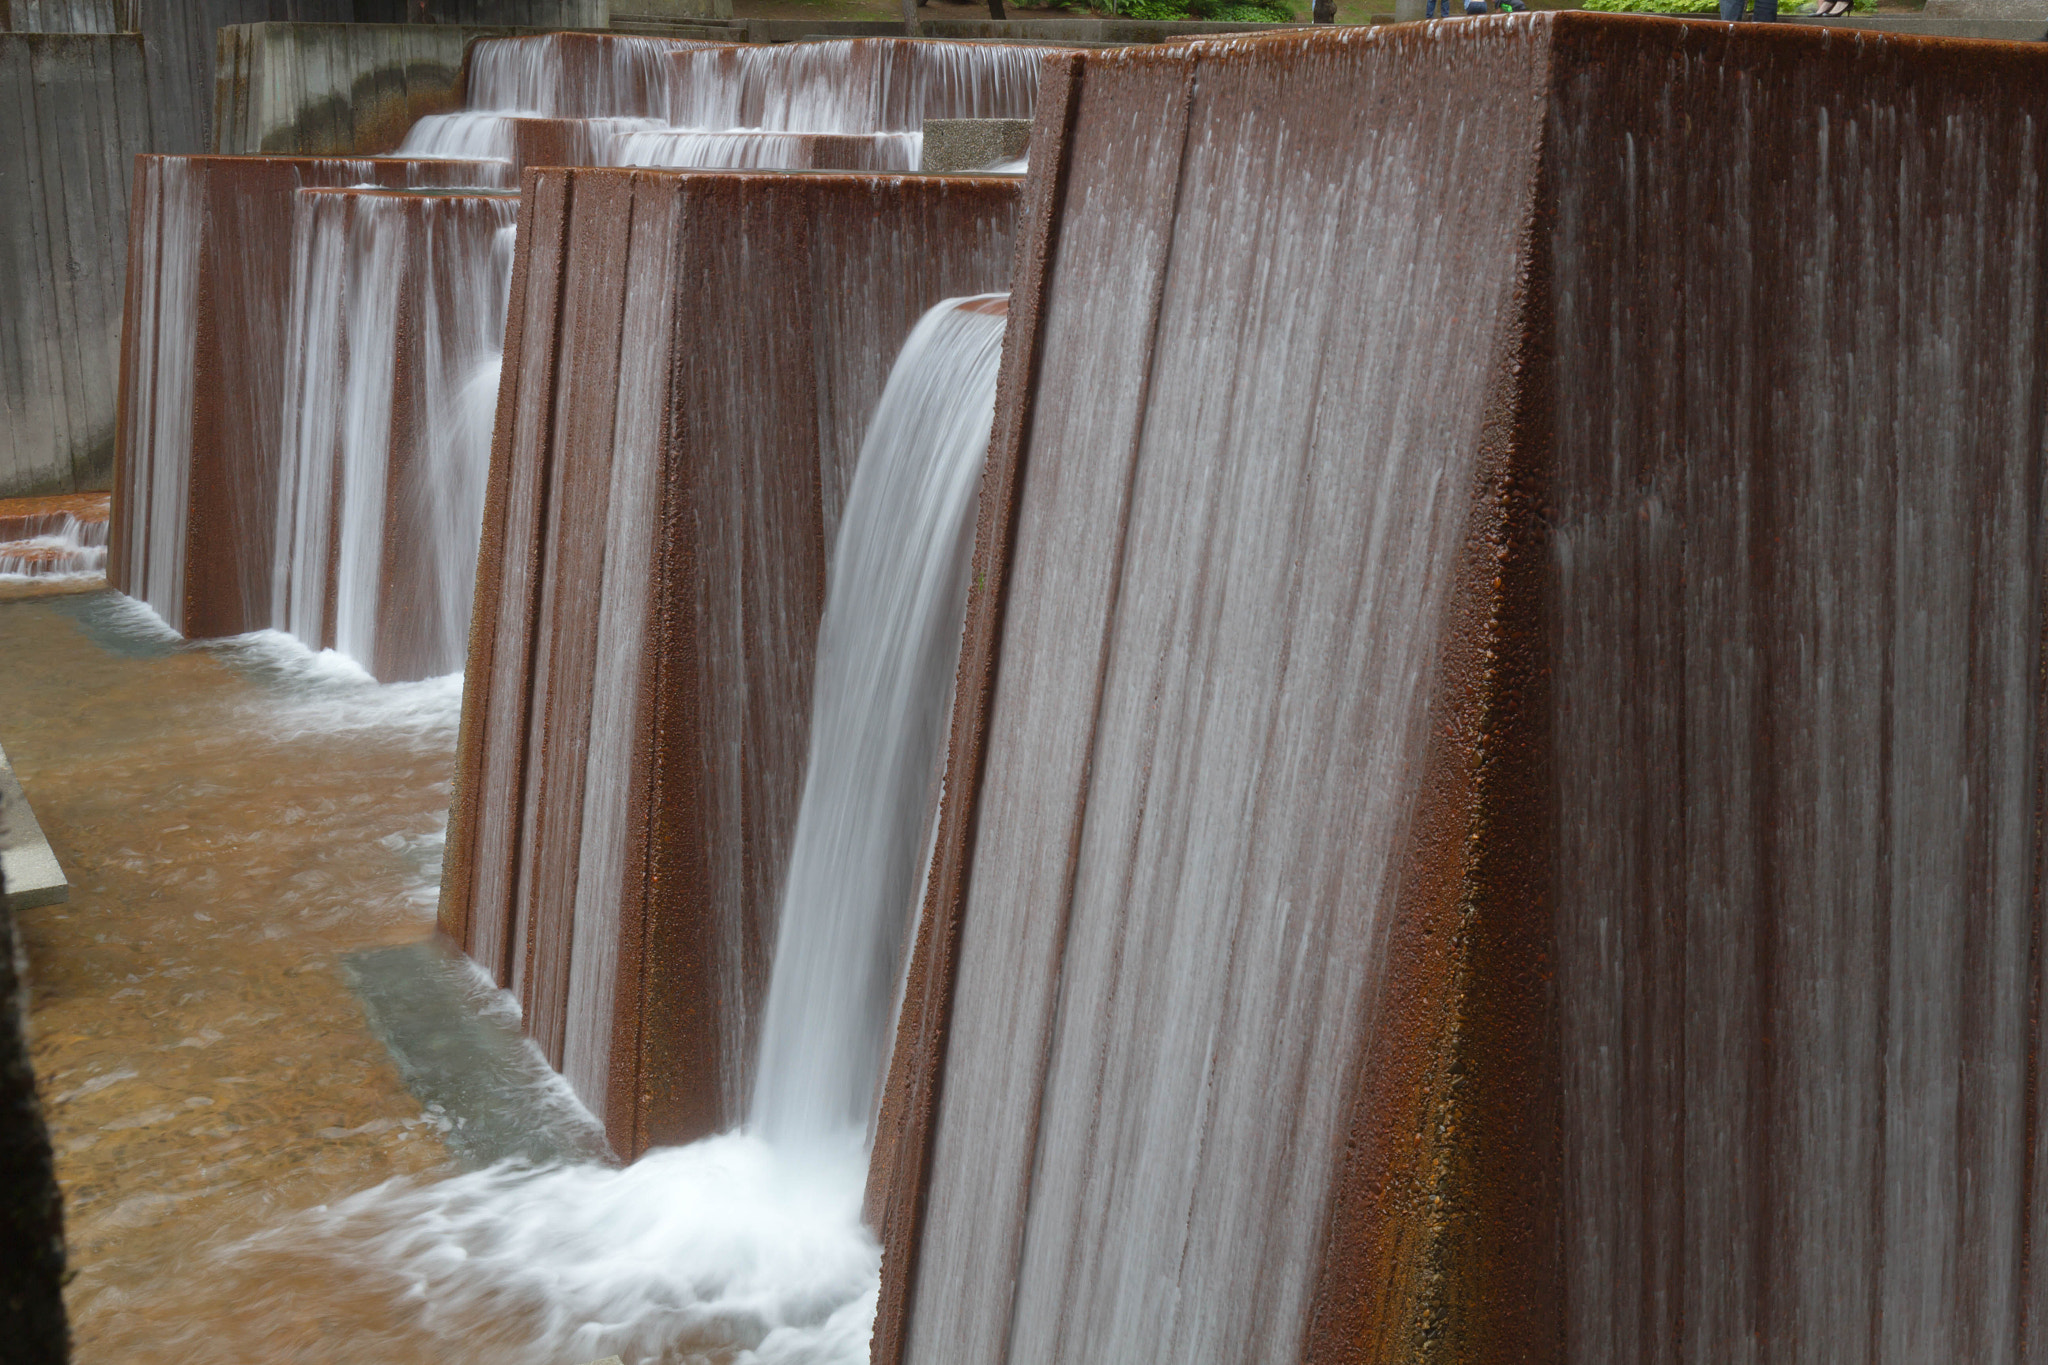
{"x":691,"y":363}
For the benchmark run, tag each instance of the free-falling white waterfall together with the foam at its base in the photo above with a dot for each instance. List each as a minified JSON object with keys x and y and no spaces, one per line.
{"x":746,"y":1247}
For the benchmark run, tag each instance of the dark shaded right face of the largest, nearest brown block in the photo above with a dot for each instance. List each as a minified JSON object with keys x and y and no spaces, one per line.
{"x":1799,"y":865}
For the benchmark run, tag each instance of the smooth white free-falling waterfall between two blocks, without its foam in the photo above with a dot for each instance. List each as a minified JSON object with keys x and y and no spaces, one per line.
{"x":886,"y":660}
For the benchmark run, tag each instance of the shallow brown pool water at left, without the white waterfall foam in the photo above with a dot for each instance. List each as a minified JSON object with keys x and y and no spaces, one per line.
{"x":234,"y":820}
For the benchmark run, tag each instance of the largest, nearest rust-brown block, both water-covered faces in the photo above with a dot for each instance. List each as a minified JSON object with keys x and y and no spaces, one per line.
{"x":1494,"y":811}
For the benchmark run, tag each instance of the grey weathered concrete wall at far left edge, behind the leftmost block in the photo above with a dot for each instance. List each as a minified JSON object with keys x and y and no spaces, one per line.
{"x":73,"y":116}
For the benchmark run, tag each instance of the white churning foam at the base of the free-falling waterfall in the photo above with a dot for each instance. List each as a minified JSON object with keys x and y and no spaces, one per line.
{"x":710,"y":1251}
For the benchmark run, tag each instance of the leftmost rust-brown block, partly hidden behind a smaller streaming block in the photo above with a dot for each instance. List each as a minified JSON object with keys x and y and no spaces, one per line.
{"x":204,"y":378}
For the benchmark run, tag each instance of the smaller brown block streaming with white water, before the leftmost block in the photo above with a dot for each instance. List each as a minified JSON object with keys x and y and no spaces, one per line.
{"x":386,"y":461}
